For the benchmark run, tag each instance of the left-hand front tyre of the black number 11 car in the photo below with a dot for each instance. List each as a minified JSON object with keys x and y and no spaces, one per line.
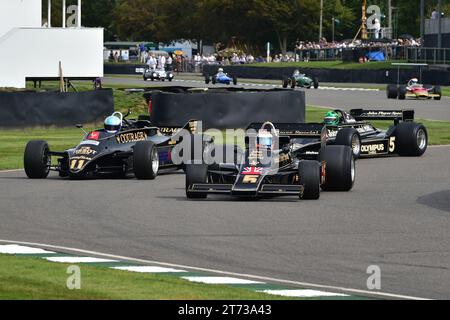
{"x":36,"y":159}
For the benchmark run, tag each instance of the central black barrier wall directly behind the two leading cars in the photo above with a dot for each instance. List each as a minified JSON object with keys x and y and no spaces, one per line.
{"x":227,"y":109}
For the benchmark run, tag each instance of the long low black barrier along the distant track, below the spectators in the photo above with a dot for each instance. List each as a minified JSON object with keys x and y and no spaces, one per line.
{"x":433,"y":77}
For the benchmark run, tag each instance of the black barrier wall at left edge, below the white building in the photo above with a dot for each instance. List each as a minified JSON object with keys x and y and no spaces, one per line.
{"x":28,"y":109}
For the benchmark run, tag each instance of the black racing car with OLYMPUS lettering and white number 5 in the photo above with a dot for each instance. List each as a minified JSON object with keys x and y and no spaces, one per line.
{"x":404,"y":138}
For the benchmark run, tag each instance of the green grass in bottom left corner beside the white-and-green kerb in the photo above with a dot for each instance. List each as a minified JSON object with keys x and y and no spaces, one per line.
{"x":27,"y":278}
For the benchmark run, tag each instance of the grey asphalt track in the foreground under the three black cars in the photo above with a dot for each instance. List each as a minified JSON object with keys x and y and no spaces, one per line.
{"x":397,"y":217}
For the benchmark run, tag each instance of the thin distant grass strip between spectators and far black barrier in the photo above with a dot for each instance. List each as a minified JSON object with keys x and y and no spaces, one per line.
{"x":331,"y":65}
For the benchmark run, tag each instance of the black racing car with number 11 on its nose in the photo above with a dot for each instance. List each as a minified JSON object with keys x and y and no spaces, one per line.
{"x":122,"y":147}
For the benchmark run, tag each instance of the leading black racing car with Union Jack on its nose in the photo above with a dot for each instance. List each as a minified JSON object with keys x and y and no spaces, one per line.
{"x":282,"y":159}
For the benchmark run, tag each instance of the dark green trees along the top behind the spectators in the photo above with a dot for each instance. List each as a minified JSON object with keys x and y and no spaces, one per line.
{"x":249,"y":23}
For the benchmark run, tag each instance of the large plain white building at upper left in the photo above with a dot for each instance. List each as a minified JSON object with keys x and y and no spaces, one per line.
{"x":29,"y":50}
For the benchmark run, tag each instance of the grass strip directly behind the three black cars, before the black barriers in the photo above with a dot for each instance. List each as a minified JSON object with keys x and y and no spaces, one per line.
{"x":12,"y":142}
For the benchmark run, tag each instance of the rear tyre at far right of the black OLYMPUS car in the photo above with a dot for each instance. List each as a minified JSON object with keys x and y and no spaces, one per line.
{"x":411,"y":139}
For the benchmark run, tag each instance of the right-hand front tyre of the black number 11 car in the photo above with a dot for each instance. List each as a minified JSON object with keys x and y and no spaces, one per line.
{"x":145,"y":160}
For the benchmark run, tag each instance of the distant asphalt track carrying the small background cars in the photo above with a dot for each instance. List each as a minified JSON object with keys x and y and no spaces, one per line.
{"x":333,"y":97}
